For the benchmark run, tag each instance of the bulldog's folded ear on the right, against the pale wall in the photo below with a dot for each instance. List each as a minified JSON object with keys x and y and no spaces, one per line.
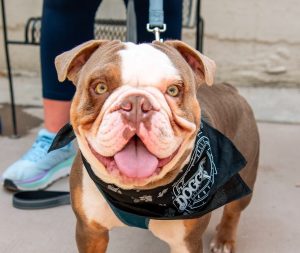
{"x":203,"y":67}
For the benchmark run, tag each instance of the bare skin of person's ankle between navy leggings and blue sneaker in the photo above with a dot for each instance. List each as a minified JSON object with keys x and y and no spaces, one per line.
{"x":56,"y":114}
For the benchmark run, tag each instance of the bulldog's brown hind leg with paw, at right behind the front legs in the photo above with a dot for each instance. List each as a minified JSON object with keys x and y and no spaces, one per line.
{"x":225,"y":238}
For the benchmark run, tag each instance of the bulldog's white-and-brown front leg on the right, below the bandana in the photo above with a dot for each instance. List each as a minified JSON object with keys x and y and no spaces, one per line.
{"x":183,"y":236}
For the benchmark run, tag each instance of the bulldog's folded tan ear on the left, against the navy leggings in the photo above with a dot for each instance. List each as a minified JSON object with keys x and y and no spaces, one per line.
{"x":69,"y":63}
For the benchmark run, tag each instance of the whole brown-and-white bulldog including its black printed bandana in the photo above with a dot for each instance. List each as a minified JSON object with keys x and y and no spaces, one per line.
{"x":161,"y":147}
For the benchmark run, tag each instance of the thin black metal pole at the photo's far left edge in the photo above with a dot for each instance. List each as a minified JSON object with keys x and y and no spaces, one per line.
{"x":10,"y":81}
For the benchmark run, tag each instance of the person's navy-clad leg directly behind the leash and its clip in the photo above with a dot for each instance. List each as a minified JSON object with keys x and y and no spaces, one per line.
{"x":172,"y":17}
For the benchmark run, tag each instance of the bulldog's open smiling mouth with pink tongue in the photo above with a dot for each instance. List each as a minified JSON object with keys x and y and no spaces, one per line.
{"x":134,"y":160}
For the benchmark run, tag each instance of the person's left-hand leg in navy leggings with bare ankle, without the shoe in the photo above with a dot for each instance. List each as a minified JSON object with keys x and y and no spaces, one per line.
{"x":65,"y":24}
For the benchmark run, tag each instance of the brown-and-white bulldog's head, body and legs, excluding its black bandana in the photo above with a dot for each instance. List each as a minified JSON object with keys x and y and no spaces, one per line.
{"x":136,"y":113}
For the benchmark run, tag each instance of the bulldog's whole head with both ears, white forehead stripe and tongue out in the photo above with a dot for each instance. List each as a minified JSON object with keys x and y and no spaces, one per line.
{"x":135,"y":111}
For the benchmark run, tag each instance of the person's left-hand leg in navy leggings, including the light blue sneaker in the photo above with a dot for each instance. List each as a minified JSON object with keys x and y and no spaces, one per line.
{"x":65,"y":24}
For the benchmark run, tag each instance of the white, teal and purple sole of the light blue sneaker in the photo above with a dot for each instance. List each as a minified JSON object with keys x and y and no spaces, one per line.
{"x":60,"y":171}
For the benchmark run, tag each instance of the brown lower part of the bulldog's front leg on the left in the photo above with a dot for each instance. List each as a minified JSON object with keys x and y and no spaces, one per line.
{"x":91,"y":238}
